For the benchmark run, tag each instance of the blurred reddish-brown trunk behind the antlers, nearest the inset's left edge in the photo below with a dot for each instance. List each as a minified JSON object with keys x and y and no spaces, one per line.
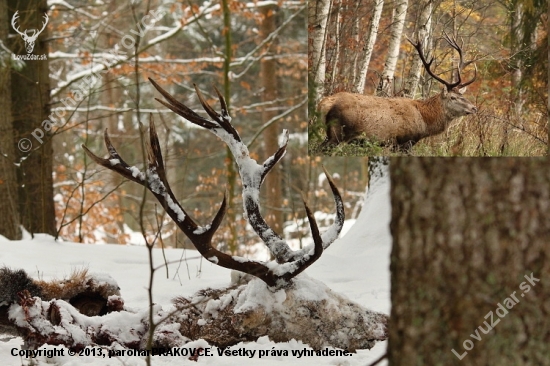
{"x":273,"y":181}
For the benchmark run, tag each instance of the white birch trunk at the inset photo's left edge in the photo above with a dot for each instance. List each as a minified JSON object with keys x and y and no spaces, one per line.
{"x":318,"y":17}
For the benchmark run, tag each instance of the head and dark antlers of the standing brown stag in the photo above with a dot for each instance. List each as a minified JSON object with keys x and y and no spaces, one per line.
{"x":454,"y":103}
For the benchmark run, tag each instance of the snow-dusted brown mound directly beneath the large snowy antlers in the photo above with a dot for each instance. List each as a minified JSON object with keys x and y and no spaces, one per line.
{"x":307,"y":310}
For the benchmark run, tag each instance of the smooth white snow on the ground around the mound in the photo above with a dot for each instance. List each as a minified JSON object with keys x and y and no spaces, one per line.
{"x":356,"y":265}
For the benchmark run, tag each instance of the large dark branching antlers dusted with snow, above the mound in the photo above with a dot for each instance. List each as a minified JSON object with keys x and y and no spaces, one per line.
{"x":287,"y":263}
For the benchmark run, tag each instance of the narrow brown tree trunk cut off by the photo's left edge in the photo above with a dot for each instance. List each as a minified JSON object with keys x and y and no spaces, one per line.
{"x":9,"y":224}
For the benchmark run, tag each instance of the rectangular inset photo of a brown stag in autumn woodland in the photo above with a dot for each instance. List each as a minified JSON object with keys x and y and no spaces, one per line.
{"x":462,"y":78}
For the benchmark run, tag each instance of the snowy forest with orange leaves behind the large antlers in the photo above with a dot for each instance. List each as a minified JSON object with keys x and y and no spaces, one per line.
{"x":99,"y":56}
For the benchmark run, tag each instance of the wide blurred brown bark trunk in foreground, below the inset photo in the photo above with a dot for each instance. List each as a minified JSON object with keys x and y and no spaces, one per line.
{"x":470,"y":246}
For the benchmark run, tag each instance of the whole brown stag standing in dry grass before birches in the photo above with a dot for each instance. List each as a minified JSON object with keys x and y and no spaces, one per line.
{"x":398,"y":122}
